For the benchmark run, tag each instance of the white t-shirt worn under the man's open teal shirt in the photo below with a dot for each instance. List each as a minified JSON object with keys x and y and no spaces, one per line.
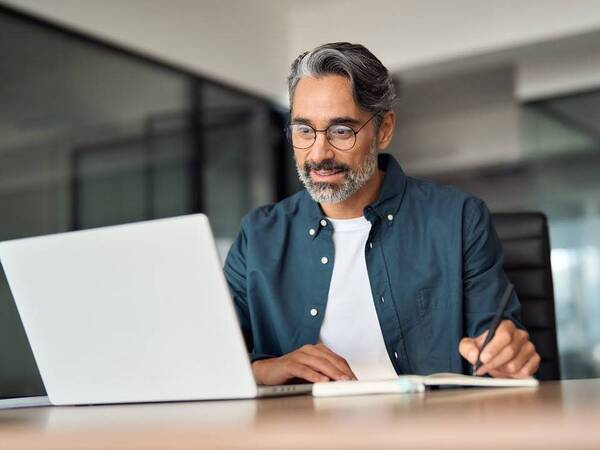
{"x":350,"y":327}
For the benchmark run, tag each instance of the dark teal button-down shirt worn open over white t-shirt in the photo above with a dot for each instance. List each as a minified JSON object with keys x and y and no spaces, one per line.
{"x":433,"y":258}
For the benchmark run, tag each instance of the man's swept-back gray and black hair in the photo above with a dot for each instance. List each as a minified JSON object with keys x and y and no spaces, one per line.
{"x":372,"y":87}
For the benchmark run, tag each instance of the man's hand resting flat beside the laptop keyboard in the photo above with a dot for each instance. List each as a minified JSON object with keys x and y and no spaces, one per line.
{"x":312,"y":363}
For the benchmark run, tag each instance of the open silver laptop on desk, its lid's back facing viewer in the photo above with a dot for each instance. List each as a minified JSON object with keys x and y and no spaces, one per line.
{"x":131,"y":313}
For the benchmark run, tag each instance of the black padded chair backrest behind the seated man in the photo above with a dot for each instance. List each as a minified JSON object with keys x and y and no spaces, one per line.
{"x":526,"y":244}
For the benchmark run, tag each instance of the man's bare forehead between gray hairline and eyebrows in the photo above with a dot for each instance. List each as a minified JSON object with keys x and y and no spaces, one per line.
{"x":324,"y":98}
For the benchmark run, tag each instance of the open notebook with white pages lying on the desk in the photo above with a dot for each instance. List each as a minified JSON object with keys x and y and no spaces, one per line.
{"x":414,"y":383}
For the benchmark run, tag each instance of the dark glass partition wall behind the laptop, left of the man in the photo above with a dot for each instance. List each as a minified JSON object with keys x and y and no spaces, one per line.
{"x":92,"y":135}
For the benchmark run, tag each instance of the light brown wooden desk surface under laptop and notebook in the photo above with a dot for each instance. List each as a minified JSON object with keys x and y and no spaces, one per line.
{"x":557,"y":415}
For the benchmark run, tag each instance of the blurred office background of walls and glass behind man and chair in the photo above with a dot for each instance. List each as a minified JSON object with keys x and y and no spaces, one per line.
{"x":119,"y":111}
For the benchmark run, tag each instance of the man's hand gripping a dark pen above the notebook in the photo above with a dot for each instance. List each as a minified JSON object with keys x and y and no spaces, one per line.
{"x":510,"y":353}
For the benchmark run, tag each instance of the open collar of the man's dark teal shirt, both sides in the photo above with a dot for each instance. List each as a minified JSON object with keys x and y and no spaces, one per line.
{"x":384,"y":208}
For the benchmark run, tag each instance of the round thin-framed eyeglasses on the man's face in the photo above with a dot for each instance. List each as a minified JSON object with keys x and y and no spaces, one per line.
{"x":341,"y":137}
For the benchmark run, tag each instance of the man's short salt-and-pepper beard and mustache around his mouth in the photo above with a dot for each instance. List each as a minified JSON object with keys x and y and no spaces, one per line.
{"x":353,"y":181}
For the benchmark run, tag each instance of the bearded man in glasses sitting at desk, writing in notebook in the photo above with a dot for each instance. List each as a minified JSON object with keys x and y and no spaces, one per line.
{"x":367,"y":273}
